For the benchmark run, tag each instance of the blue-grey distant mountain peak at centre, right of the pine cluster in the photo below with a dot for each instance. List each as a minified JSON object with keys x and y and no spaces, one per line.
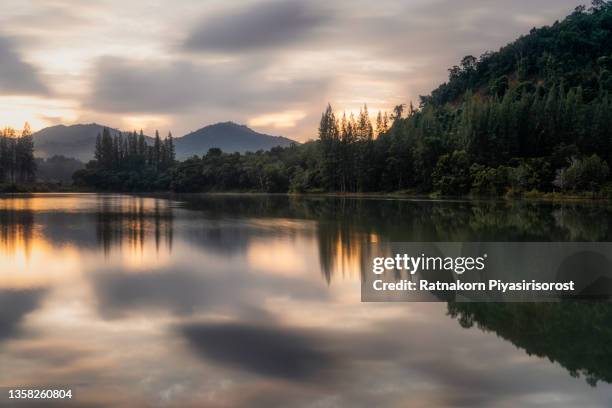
{"x":229,"y":137}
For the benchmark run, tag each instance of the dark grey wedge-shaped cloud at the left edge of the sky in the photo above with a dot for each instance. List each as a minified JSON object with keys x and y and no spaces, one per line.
{"x":17,"y":77}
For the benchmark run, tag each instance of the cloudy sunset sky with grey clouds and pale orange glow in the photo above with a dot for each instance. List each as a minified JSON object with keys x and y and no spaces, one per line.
{"x":270,"y":64}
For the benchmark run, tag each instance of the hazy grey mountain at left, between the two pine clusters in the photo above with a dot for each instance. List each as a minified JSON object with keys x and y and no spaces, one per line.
{"x":77,"y":141}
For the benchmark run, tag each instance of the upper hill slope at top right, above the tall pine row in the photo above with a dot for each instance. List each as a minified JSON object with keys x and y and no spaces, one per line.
{"x":576,"y":52}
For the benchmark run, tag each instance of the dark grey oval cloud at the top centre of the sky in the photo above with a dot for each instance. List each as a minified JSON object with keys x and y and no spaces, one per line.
{"x":262,"y":25}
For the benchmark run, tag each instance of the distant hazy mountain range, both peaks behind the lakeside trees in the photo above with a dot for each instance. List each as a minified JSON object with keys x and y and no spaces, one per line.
{"x":78,"y":141}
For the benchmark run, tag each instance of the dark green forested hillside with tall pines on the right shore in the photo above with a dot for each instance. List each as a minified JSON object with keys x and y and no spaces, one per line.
{"x":536,"y":115}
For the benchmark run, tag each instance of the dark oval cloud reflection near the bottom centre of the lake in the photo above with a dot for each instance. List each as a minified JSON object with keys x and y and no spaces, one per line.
{"x":275,"y":352}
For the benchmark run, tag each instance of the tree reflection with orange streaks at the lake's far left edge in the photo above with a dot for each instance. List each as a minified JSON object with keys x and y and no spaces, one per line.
{"x":16,"y":226}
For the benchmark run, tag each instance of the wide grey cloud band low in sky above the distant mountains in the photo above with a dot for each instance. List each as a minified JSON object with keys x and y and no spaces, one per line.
{"x":125,"y":86}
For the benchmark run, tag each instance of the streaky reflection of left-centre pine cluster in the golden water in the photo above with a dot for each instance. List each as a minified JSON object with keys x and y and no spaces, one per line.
{"x":127,"y":223}
